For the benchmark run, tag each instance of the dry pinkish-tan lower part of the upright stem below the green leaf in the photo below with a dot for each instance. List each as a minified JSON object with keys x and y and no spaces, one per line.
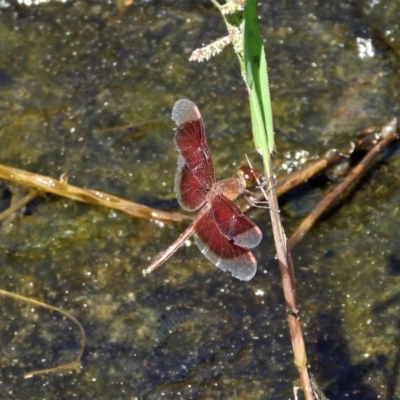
{"x":296,"y":334}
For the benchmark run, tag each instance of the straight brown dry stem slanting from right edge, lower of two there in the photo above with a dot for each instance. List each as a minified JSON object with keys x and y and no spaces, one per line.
{"x":354,"y":174}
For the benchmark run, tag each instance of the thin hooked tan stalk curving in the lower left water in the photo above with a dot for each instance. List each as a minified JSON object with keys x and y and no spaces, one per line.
{"x":76,"y":364}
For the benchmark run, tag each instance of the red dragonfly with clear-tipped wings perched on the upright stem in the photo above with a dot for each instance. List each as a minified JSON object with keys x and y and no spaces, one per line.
{"x":221,"y":231}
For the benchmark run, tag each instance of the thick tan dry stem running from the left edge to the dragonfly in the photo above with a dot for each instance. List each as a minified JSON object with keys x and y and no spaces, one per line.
{"x":46,"y":184}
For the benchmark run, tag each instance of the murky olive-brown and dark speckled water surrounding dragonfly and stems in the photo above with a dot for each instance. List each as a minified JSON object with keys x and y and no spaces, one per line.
{"x":72,"y":76}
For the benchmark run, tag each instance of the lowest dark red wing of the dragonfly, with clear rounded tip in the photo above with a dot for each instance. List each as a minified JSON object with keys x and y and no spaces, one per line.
{"x":223,"y":253}
